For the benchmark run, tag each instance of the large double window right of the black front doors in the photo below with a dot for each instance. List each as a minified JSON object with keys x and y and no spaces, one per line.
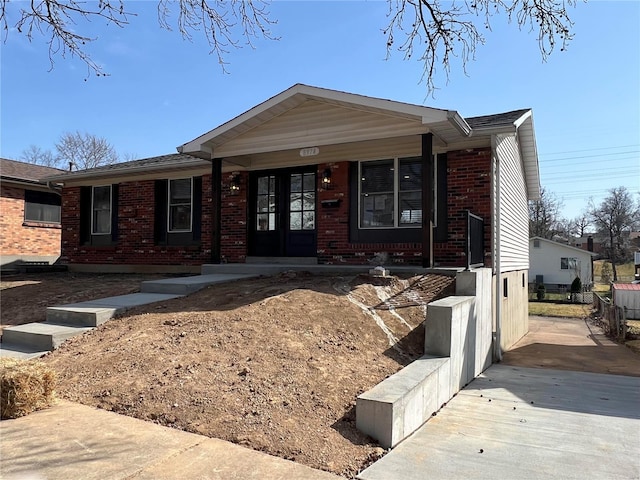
{"x":391,"y":193}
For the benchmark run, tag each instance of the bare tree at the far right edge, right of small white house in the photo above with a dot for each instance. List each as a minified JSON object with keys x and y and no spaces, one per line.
{"x":617,"y":215}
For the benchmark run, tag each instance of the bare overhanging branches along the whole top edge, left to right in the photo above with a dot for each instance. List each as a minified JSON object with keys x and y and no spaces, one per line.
{"x":433,"y":30}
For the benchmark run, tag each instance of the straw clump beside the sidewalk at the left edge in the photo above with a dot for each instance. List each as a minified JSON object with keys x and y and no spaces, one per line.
{"x":25,"y":386}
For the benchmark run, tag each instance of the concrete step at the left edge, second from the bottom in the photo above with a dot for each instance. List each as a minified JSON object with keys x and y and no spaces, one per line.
{"x":40,"y":336}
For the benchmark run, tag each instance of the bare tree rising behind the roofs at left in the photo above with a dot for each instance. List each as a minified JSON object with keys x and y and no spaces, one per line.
{"x":83,"y":150}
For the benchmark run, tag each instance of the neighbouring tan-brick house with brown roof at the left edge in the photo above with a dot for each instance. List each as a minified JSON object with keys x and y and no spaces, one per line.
{"x":29,"y":214}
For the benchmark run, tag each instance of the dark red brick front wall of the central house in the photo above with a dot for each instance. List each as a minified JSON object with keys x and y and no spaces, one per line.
{"x":468,"y":188}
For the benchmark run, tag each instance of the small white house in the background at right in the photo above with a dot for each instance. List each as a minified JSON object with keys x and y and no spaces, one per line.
{"x":557,"y":265}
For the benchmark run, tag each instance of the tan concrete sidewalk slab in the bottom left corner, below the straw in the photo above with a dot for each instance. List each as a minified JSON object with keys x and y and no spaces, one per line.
{"x":75,"y":441}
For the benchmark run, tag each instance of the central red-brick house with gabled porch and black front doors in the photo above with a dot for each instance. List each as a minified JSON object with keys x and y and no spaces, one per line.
{"x":321,"y":176}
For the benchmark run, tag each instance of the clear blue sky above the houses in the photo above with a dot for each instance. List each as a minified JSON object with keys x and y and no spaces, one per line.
{"x":164,"y":91}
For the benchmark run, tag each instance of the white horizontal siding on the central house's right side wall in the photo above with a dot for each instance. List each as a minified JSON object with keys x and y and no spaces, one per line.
{"x":514,"y":211}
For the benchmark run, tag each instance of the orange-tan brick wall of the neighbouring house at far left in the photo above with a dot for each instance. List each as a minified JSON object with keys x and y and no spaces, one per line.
{"x":20,"y":238}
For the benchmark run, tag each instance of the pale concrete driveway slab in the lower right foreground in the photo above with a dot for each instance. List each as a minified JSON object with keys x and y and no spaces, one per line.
{"x":526,"y":423}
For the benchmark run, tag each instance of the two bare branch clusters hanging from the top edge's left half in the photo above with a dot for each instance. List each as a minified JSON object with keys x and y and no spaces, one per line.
{"x":59,"y":20}
